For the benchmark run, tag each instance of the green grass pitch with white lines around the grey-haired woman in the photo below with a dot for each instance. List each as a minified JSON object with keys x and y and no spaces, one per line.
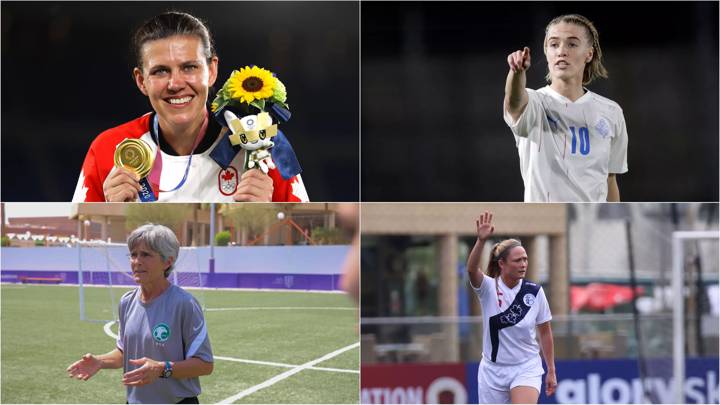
{"x":42,"y":334}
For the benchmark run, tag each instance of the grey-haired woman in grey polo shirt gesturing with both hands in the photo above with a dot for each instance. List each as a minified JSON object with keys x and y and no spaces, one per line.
{"x":163,"y":344}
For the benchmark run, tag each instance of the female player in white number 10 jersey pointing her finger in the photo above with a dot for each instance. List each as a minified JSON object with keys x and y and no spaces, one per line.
{"x":571,"y":141}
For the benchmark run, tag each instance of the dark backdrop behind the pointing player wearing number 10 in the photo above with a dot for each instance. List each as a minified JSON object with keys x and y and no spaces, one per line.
{"x":433,"y":76}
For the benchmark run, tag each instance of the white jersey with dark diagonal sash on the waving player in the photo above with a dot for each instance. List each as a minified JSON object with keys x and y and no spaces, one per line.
{"x":517,"y":343}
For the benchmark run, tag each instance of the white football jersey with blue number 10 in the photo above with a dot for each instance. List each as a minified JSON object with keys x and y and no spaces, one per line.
{"x":567,"y":149}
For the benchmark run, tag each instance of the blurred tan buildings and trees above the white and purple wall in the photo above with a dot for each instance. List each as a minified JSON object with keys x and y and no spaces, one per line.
{"x":235,"y":224}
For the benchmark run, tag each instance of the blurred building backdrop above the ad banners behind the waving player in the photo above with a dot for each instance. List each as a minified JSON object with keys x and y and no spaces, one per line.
{"x":413,"y":268}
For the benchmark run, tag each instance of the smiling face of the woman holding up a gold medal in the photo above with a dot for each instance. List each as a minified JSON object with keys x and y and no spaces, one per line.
{"x":175,"y":76}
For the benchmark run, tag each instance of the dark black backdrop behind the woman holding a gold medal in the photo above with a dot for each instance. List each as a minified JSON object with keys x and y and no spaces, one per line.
{"x":79,"y":55}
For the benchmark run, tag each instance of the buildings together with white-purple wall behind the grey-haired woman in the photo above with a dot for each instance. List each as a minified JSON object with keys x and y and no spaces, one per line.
{"x":248,"y":245}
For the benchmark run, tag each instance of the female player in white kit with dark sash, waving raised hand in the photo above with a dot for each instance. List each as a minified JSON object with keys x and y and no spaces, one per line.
{"x":510,"y":370}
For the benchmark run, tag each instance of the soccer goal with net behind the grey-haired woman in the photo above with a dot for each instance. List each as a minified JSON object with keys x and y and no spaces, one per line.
{"x":104,"y":275}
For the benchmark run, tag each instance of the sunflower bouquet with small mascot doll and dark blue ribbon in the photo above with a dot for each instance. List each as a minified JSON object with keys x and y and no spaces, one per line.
{"x":251,"y":103}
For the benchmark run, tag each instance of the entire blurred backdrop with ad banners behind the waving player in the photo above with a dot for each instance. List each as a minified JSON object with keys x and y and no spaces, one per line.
{"x":607,"y":270}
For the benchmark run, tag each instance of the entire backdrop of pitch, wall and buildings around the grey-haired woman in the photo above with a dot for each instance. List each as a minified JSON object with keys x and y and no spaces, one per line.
{"x":269,"y":285}
